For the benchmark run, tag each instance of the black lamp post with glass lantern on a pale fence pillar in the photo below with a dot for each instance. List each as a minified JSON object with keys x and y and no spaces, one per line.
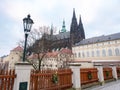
{"x":27,"y":23}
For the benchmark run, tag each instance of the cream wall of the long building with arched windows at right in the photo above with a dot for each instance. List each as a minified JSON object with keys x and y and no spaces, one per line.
{"x":97,"y":46}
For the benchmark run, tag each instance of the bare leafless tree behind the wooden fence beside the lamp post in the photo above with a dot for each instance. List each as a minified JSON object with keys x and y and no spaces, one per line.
{"x":38,"y":43}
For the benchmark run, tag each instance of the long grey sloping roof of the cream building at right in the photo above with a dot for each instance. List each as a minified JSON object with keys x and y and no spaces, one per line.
{"x":102,"y":38}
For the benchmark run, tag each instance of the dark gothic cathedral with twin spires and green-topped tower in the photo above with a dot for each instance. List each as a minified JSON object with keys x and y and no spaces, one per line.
{"x":65,"y":39}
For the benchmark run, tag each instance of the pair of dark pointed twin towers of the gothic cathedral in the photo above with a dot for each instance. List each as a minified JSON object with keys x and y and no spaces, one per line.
{"x":76,"y":30}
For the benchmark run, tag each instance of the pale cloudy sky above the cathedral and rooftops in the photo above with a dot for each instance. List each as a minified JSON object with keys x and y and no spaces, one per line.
{"x":98,"y":16}
